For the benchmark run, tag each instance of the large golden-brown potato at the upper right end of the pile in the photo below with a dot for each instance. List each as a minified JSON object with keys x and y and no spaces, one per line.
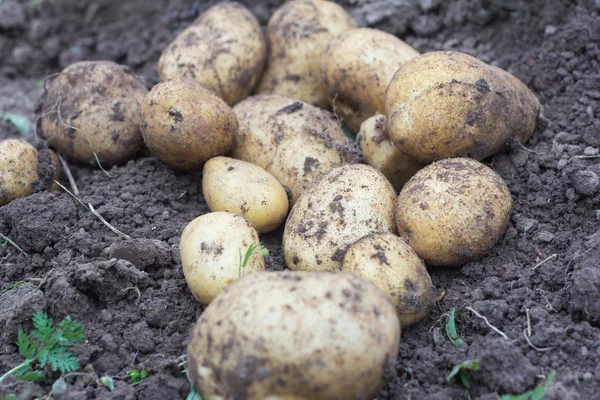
{"x":447,"y":104}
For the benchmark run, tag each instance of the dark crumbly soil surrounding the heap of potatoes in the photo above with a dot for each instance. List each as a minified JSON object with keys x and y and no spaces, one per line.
{"x":543,"y":277}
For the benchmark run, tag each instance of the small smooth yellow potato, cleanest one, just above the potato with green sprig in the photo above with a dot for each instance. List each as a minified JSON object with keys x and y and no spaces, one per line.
{"x":244,"y":189}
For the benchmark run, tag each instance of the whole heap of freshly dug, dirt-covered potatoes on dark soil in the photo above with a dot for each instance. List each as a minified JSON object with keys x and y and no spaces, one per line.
{"x":262,"y":116}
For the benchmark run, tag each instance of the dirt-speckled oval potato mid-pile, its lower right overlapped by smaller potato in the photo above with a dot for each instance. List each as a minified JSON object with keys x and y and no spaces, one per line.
{"x":343,"y":206}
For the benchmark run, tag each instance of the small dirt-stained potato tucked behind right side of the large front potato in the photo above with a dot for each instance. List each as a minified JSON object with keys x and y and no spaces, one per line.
{"x":387,"y":261}
